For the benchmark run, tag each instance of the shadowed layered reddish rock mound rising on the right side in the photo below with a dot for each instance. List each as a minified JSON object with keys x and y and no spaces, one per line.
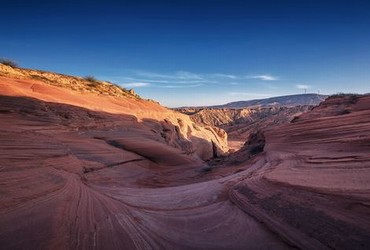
{"x":315,"y":189}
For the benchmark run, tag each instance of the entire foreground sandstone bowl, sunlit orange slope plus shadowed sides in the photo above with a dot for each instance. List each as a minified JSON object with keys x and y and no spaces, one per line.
{"x":89,"y":171}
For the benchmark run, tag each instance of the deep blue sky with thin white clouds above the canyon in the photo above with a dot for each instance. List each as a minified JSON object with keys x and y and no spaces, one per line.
{"x":202,"y":52}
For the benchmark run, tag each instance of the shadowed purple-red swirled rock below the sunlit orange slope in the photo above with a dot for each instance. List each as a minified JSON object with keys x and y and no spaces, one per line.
{"x":73,"y":178}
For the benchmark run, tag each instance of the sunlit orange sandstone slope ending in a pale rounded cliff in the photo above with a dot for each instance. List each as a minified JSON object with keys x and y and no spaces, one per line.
{"x":176,"y":129}
